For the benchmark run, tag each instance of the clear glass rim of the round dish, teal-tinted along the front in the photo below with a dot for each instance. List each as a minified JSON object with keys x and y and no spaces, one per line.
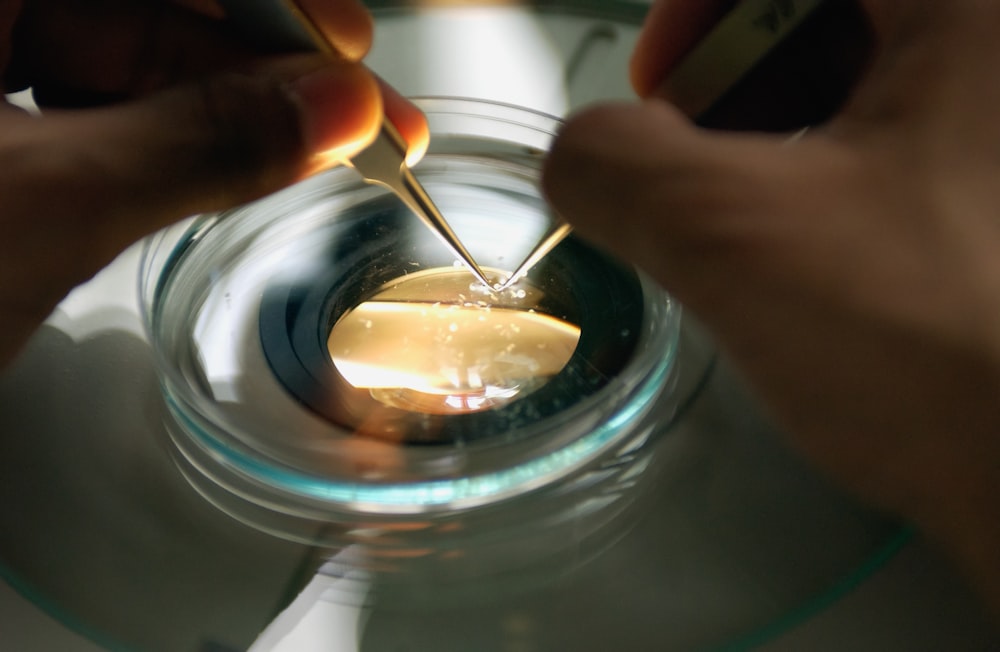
{"x":649,"y":375}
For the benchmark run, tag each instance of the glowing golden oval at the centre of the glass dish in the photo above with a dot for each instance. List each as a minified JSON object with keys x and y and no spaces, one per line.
{"x":438,"y":342}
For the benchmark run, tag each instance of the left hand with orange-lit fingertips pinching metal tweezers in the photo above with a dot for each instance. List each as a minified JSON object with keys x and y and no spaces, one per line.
{"x":151,"y":111}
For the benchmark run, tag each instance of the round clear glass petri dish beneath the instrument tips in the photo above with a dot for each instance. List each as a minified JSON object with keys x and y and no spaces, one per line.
{"x":336,"y":378}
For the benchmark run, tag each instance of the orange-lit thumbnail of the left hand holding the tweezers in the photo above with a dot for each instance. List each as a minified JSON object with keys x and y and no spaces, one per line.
{"x":341,"y":108}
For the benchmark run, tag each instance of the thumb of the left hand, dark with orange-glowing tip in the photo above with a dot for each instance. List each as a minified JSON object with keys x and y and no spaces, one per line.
{"x":79,"y":187}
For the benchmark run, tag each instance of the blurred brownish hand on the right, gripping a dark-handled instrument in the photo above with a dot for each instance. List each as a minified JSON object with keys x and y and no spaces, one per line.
{"x":852,"y":275}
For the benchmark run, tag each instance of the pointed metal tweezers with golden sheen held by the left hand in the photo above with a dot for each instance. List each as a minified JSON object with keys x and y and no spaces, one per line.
{"x":283,"y":25}
